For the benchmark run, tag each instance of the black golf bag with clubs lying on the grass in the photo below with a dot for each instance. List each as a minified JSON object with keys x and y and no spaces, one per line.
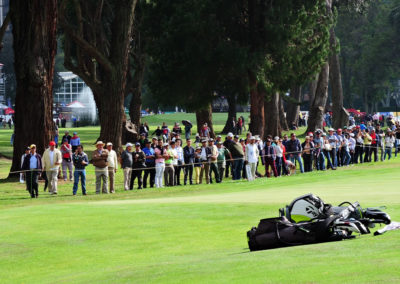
{"x":309,"y":220}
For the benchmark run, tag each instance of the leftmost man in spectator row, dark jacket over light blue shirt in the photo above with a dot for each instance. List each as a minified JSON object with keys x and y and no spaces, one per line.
{"x":32,"y":165}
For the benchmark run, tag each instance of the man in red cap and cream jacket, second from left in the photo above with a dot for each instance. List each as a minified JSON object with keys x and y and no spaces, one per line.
{"x":52,"y":160}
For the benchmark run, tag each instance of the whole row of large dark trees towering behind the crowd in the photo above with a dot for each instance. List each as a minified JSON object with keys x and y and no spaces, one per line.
{"x":187,"y":51}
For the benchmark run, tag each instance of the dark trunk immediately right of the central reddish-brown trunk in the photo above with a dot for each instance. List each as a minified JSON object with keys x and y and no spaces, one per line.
{"x":272,"y":121}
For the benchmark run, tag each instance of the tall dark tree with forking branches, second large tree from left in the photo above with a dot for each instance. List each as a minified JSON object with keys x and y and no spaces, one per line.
{"x":96,"y":45}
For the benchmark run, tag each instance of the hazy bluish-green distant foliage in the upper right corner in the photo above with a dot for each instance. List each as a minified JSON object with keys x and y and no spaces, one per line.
{"x":369,"y":53}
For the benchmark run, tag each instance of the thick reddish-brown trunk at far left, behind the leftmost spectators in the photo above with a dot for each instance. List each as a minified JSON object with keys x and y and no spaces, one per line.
{"x":34,"y":31}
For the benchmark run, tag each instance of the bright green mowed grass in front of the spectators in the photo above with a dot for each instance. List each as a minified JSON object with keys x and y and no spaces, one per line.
{"x":193,"y":234}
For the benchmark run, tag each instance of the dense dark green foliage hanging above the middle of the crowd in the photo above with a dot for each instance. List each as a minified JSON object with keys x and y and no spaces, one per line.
{"x":202,"y":46}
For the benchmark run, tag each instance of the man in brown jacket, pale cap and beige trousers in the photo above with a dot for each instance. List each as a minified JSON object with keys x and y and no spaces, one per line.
{"x":99,"y":158}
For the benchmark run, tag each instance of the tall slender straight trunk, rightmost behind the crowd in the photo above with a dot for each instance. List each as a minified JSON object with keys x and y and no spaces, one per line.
{"x":340,"y":116}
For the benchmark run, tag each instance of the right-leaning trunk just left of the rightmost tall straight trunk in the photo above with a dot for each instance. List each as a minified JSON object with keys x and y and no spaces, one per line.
{"x":317,"y":110}
